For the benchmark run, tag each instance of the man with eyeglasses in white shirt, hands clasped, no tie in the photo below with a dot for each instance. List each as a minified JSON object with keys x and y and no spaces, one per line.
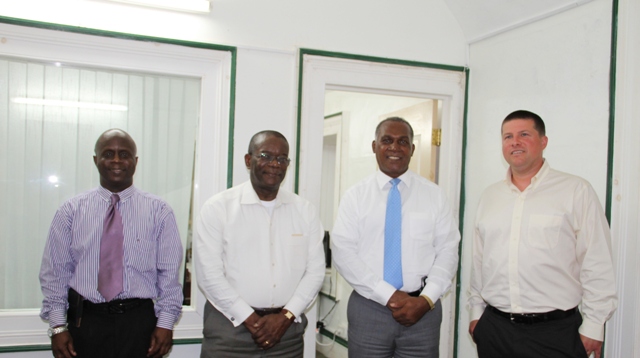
{"x":259,"y":260}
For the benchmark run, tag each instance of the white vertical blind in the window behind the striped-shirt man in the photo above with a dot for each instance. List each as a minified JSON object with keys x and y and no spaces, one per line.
{"x":42,"y":142}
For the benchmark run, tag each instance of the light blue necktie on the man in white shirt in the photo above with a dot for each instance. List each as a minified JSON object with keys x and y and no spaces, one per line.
{"x":393,"y":237}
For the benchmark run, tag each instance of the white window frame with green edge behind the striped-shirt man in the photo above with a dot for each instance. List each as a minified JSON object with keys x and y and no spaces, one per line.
{"x":22,"y":329}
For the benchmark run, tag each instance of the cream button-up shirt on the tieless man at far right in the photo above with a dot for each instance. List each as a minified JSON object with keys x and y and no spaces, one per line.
{"x":542,"y":249}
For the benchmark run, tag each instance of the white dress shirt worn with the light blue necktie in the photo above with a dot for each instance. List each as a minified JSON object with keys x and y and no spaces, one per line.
{"x":429,"y":237}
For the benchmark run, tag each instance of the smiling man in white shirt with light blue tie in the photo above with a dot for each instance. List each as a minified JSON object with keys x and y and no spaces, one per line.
{"x":395,"y":241}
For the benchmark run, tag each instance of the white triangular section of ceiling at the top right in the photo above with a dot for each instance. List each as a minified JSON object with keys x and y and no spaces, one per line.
{"x":481,"y":19}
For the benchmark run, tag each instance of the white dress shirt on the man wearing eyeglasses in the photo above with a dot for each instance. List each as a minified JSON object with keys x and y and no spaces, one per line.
{"x":247,"y":258}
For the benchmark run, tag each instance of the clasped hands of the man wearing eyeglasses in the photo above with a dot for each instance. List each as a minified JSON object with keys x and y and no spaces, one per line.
{"x":267,"y":331}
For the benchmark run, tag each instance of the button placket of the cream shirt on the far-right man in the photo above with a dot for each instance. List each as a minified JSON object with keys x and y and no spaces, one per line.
{"x":514,"y":245}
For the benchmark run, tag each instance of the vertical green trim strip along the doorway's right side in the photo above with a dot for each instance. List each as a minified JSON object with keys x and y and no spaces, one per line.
{"x":463,"y":189}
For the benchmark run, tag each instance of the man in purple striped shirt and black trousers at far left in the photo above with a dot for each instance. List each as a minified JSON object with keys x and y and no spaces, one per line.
{"x":138,"y":321}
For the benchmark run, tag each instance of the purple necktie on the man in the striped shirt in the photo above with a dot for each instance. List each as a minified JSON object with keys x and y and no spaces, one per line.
{"x":111,"y":253}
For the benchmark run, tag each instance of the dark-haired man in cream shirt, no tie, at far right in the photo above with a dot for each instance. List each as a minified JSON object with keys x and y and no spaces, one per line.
{"x":541,"y":248}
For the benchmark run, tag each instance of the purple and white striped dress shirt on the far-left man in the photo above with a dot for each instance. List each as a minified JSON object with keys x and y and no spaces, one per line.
{"x":152,"y":253}
